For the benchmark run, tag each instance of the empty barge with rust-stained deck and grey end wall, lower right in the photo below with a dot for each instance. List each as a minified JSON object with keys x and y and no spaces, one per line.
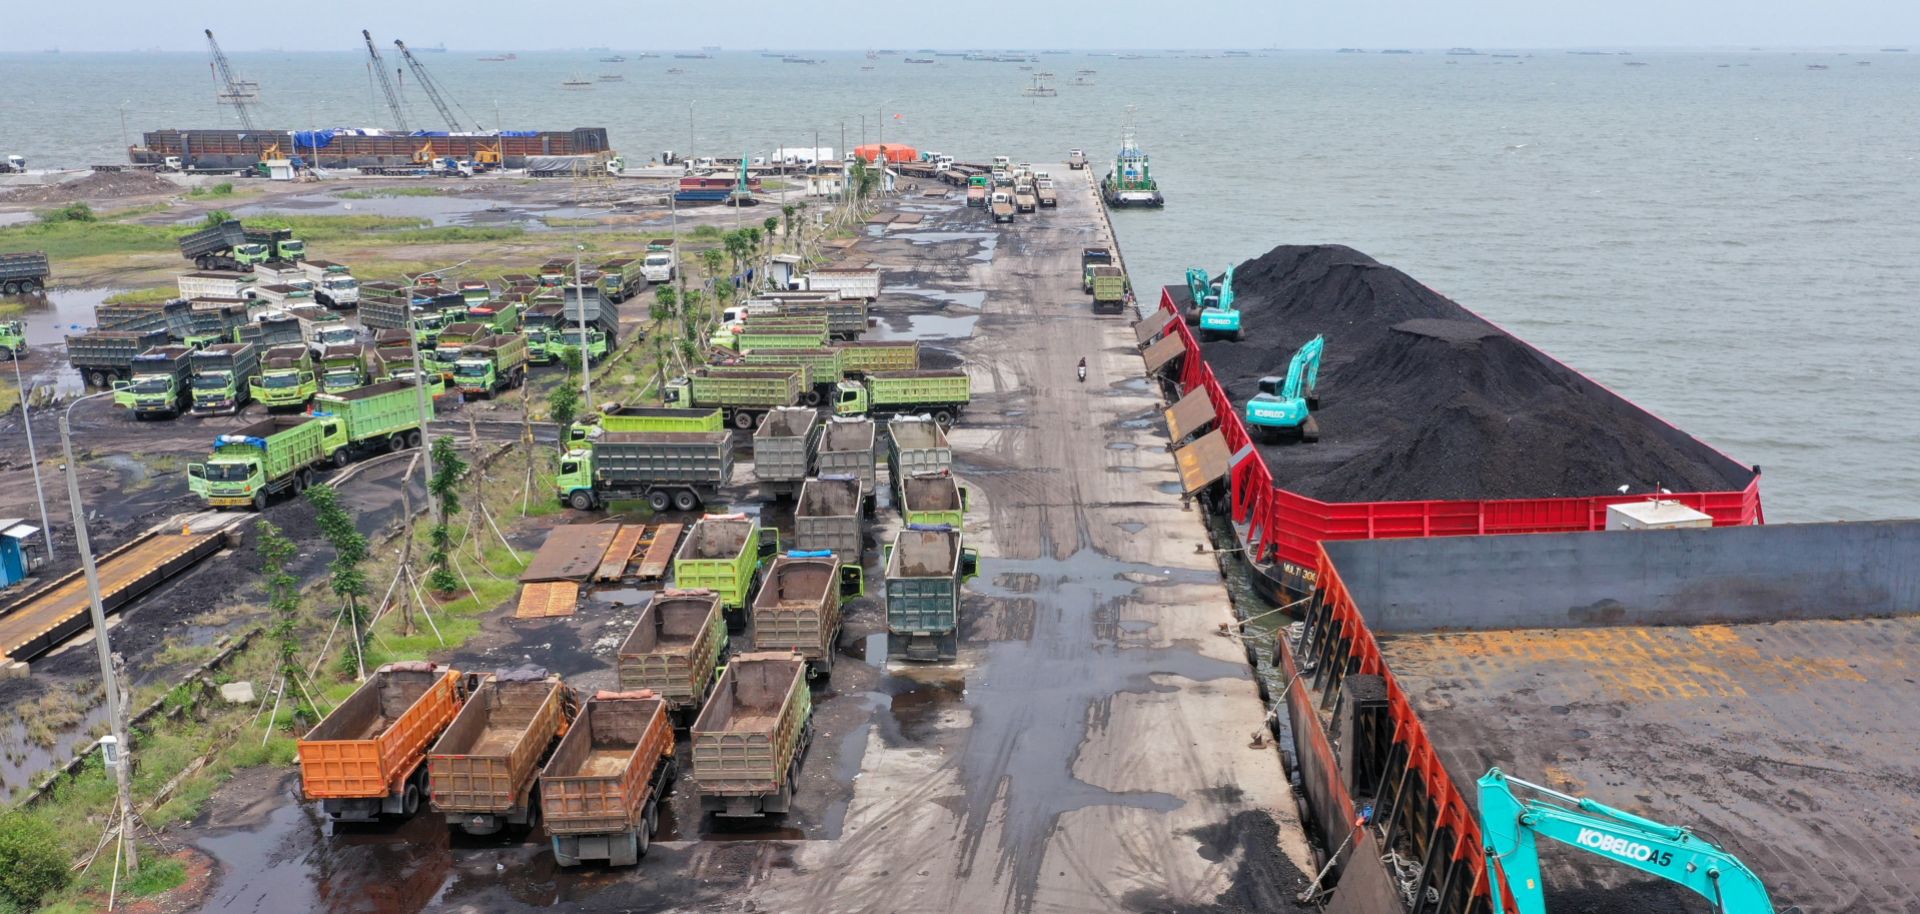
{"x":1754,"y":685}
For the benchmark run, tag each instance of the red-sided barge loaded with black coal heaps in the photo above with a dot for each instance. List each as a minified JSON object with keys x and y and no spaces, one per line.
{"x":1433,"y":421}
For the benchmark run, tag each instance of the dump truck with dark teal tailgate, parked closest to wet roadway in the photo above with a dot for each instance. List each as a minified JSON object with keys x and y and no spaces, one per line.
{"x":924,"y":571}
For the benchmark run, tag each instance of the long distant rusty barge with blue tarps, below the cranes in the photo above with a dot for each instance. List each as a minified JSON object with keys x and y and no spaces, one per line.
{"x":352,"y":149}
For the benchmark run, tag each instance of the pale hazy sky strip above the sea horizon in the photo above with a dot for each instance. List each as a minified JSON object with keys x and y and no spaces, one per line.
{"x":869,"y":24}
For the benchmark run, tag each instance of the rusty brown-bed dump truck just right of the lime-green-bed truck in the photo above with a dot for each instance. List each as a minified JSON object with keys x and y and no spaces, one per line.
{"x":800,"y":608}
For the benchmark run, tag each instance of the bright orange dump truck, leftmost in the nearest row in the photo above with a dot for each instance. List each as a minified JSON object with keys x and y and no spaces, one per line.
{"x":370,"y":756}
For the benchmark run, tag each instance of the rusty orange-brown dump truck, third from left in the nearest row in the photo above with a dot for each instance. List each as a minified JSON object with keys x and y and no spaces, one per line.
{"x":602,"y":792}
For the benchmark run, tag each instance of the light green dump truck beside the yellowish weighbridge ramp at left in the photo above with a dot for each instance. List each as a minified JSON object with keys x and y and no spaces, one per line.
{"x":254,"y":464}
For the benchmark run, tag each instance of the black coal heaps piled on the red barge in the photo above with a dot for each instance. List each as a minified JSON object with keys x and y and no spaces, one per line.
{"x":1426,"y":400}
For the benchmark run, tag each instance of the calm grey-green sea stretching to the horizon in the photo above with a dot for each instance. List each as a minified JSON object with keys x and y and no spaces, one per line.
{"x":1729,"y":239}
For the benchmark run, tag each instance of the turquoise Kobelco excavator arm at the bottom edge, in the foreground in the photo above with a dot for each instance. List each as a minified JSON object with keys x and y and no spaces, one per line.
{"x":1512,"y":827}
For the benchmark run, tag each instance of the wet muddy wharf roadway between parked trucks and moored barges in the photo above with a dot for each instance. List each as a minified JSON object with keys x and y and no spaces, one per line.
{"x":1088,"y":752}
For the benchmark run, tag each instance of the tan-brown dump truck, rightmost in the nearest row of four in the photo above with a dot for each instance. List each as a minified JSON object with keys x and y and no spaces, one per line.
{"x":752,"y":736}
